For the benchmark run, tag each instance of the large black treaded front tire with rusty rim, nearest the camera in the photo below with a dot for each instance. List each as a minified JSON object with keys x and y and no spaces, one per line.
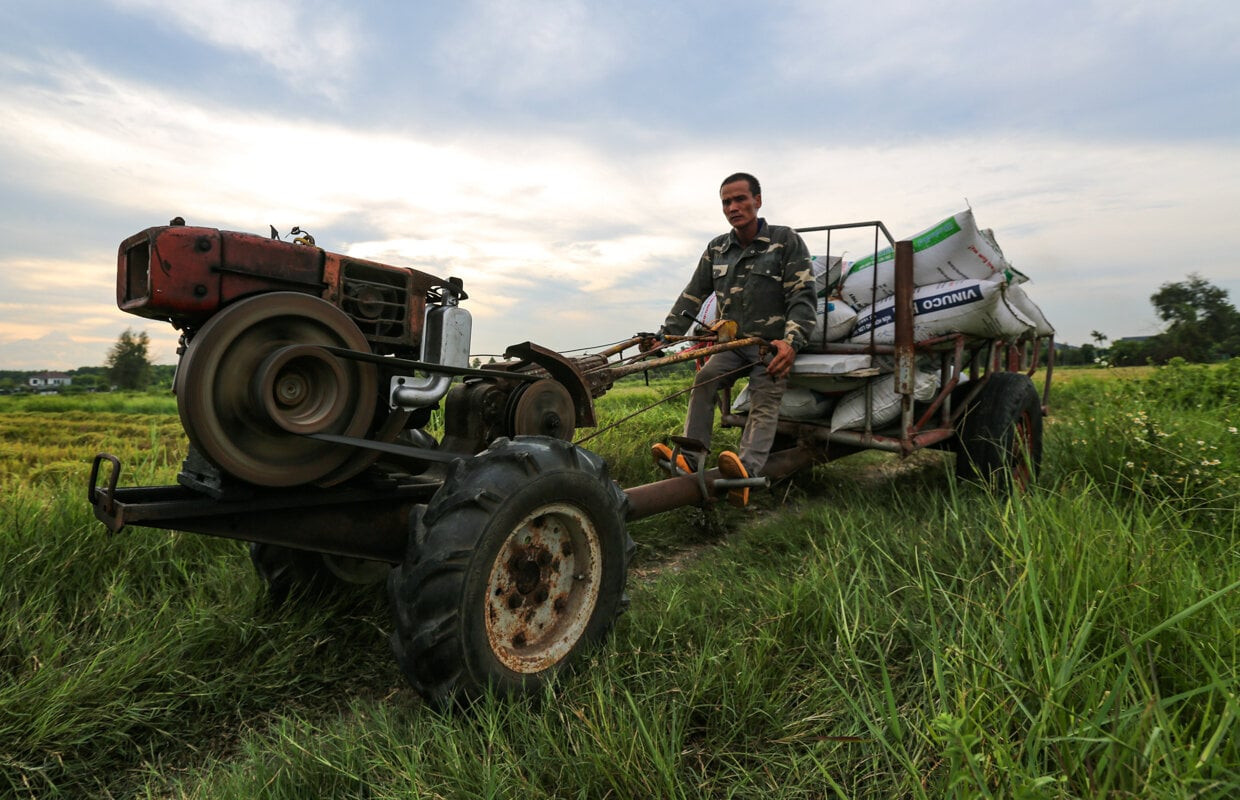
{"x":516,"y":566}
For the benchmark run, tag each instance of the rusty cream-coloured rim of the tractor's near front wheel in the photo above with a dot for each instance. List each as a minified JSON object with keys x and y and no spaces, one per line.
{"x":544,"y":589}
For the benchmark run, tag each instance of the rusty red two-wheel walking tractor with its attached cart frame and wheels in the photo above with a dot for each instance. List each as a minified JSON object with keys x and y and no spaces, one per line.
{"x":306,"y":385}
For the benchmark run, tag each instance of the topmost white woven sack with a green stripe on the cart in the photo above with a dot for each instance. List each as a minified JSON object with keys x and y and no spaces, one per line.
{"x":954,"y":250}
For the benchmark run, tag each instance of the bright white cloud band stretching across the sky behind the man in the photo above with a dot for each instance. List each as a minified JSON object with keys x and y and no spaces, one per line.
{"x":565,"y":242}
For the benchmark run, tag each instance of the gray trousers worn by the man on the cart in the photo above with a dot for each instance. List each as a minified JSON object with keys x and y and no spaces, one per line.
{"x":725,"y":369}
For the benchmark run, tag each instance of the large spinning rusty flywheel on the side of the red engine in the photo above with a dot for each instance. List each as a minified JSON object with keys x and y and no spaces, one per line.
{"x":256,"y":378}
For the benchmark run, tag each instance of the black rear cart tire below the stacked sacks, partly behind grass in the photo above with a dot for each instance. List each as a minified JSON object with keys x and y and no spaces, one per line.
{"x":1001,"y":435}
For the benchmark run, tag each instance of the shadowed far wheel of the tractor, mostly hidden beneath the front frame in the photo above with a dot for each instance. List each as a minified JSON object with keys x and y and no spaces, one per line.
{"x":286,"y":570}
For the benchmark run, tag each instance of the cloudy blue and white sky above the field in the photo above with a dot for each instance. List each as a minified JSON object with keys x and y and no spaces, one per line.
{"x":564,"y":157}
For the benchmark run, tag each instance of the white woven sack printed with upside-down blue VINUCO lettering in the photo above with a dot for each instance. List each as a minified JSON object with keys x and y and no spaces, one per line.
{"x":967,"y":307}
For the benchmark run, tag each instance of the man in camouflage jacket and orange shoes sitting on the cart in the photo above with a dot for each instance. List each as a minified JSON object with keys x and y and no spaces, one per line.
{"x":762,"y":278}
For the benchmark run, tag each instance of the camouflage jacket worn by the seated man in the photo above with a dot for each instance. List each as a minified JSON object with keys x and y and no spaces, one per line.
{"x":767,"y":287}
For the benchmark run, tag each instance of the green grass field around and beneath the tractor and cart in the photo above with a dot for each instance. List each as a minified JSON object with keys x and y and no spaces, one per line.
{"x":865,"y":633}
